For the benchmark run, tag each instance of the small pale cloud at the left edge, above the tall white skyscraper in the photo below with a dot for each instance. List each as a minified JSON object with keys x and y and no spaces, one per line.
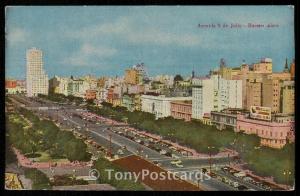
{"x":16,"y":35}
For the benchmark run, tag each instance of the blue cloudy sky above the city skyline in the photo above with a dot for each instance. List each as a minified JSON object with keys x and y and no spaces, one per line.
{"x":106,"y":40}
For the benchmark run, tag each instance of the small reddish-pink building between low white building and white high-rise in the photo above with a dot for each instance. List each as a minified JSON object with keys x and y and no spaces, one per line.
{"x":181,"y":110}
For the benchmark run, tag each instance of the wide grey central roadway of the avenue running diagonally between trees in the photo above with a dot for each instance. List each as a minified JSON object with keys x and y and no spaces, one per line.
{"x":102,"y":135}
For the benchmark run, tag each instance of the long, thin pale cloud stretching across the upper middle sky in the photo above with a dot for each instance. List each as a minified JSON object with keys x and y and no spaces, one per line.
{"x":124,"y":28}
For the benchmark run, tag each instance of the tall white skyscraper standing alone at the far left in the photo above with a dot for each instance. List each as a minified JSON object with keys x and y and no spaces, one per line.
{"x":36,"y":78}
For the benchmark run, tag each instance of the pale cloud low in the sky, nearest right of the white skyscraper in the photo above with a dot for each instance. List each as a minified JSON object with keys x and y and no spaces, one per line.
{"x":89,"y":55}
